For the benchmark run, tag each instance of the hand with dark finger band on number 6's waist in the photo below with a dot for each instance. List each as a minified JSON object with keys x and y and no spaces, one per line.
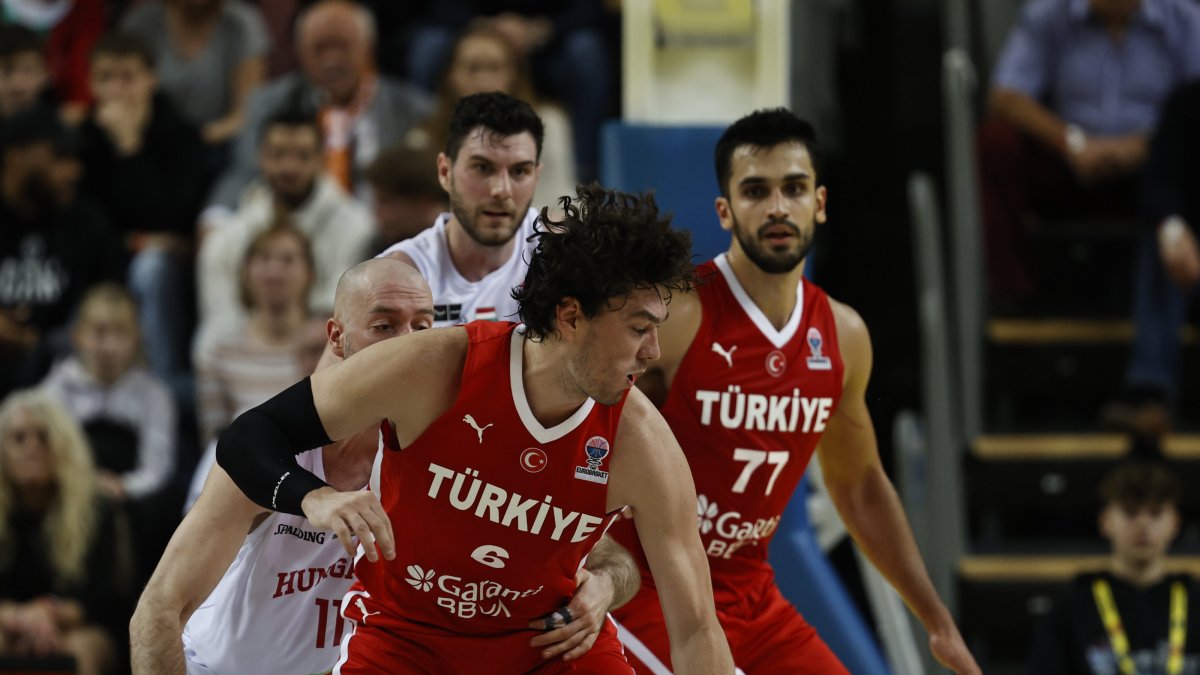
{"x":587,"y":612}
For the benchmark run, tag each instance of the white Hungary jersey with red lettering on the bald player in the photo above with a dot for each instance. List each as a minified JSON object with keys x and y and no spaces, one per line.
{"x":278,"y":610}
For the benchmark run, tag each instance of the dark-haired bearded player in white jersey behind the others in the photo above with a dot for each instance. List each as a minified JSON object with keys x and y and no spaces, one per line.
{"x":478,"y":253}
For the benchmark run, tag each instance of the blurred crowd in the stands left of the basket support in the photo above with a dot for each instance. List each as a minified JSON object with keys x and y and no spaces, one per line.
{"x":182,"y":184}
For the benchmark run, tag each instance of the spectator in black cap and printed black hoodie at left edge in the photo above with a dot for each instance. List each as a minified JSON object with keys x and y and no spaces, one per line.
{"x":52,"y":247}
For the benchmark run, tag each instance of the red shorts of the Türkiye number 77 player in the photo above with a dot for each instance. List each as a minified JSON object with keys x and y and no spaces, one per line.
{"x":766,"y":635}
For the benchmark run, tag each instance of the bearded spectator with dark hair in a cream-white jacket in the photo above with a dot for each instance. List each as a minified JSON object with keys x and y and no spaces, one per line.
{"x":297,"y":190}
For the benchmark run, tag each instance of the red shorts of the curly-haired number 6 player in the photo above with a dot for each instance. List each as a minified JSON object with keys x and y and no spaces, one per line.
{"x":371,"y":649}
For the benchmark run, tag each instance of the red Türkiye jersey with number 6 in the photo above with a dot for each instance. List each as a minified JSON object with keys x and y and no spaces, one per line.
{"x":494,"y":513}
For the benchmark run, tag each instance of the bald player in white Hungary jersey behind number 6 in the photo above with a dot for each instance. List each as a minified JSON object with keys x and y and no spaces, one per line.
{"x":245,"y":590}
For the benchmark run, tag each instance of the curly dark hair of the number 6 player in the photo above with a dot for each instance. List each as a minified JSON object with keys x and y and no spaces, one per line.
{"x":607,"y":246}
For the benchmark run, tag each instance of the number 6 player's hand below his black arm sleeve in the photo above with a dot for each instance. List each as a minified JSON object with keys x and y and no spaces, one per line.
{"x":358,"y":513}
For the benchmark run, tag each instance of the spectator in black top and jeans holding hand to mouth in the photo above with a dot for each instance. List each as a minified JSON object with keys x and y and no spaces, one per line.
{"x":145,"y":164}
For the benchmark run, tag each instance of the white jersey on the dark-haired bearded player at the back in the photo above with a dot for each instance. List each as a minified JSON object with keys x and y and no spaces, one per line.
{"x":455,"y":300}
